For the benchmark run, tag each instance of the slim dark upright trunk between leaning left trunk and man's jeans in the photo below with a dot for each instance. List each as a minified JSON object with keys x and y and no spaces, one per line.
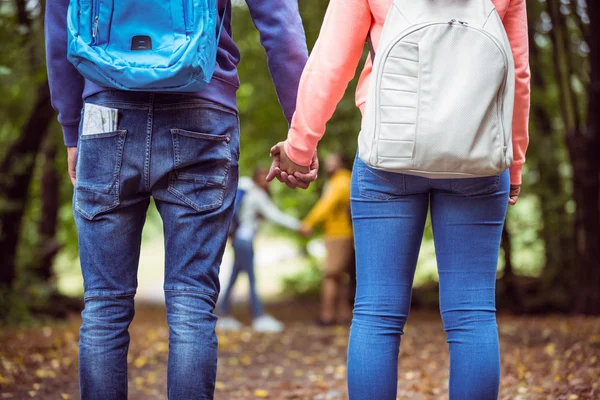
{"x":48,"y":246}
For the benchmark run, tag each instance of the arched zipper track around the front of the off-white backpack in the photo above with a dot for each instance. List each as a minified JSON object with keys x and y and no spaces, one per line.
{"x":418,"y":27}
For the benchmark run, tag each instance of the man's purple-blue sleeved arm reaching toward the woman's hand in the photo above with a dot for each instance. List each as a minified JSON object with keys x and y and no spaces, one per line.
{"x":282,"y":36}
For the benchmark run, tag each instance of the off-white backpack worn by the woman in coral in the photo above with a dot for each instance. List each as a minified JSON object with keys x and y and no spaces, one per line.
{"x":441,"y":95}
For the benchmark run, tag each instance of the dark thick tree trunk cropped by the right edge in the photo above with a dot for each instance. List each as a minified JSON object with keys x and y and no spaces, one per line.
{"x":584,"y":148}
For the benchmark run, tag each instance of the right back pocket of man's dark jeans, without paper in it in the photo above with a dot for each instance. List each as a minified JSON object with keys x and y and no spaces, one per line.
{"x":202,"y":162}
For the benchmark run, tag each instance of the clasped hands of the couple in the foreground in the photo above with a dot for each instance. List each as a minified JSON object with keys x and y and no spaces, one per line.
{"x":290,"y":173}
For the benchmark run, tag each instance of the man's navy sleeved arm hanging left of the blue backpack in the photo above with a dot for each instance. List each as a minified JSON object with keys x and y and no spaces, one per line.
{"x":66,"y":84}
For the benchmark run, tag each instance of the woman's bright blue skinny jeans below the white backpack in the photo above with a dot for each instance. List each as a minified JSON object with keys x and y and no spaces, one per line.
{"x":389,"y":212}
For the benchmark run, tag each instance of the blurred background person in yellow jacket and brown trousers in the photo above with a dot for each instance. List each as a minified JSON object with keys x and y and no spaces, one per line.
{"x":333,"y":211}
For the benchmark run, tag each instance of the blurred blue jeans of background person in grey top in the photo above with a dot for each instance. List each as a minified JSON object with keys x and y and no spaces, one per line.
{"x":243,"y":261}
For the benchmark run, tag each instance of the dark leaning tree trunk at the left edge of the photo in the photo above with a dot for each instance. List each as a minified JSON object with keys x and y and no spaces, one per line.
{"x":16,"y":171}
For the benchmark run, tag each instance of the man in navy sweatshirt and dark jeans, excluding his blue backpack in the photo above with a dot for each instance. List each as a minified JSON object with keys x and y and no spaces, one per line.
{"x":181,"y":149}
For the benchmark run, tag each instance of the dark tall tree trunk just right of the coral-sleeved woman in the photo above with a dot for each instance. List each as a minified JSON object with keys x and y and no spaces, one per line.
{"x":556,"y":232}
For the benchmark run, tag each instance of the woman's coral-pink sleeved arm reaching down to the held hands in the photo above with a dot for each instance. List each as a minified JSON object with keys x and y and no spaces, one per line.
{"x":331,"y":66}
